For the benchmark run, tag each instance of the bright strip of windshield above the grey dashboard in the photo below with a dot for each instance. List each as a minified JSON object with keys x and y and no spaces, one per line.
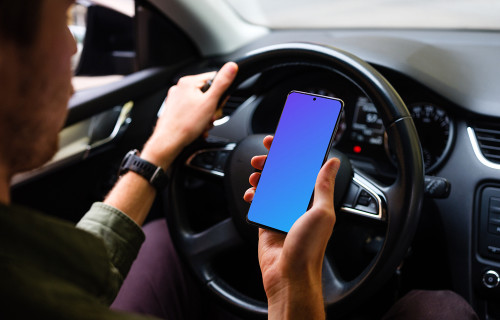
{"x":420,"y":14}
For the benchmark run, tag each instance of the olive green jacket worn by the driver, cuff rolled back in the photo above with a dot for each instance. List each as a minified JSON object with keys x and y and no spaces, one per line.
{"x":51,"y":270}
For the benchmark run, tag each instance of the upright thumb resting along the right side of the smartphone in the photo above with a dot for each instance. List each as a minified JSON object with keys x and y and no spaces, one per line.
{"x":325,"y":184}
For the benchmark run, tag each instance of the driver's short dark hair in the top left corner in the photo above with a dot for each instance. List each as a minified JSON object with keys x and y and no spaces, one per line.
{"x":19,"y":20}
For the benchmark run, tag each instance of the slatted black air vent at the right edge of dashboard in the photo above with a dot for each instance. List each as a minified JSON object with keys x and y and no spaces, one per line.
{"x":488,"y":138}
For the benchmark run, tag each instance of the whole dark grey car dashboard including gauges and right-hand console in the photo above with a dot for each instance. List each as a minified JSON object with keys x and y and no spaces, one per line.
{"x":449,"y":83}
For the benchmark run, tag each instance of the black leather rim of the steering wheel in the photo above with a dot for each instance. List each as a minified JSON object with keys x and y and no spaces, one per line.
{"x":403,"y":198}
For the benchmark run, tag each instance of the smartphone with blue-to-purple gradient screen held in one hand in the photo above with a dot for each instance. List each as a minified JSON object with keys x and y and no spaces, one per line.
{"x":301,"y":144}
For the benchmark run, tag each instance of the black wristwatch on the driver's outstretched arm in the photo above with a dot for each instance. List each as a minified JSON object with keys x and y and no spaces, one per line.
{"x":154,"y":174}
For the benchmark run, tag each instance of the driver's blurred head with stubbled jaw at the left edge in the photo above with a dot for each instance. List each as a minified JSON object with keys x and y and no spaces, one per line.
{"x":35,"y":80}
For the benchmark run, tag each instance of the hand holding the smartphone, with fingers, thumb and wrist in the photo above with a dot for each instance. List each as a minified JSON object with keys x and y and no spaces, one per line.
{"x":291,"y":264}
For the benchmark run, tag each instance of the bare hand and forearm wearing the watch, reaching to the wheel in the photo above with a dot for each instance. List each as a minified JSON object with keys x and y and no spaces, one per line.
{"x":188,"y":113}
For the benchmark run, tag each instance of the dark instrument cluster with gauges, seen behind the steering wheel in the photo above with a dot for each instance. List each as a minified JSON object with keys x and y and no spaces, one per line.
{"x":361,"y":134}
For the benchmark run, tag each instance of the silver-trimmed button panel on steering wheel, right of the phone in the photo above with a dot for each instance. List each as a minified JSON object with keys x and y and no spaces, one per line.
{"x":365,"y":198}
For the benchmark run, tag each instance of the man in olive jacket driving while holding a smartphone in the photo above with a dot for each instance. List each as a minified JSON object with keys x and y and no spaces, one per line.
{"x":48,"y":268}
